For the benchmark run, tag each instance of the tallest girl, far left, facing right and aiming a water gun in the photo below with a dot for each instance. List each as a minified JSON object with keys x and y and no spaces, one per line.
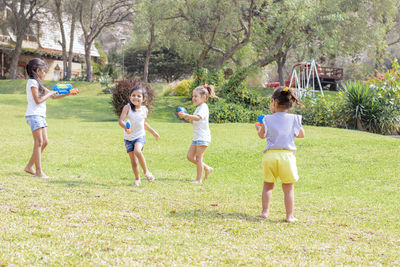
{"x":35,"y":115}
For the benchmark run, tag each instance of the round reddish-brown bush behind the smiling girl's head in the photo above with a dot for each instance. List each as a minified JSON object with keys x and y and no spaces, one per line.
{"x":120,"y":94}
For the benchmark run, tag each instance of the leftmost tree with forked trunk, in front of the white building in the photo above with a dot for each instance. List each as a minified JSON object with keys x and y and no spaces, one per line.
{"x":24,"y":12}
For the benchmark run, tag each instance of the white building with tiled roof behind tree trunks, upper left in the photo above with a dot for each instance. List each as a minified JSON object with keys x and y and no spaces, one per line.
{"x":43,"y":41}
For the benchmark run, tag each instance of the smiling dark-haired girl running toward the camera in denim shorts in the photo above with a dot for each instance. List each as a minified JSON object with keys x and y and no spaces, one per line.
{"x":134,"y":137}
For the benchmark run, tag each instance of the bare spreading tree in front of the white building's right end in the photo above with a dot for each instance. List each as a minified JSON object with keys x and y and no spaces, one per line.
{"x":94,"y":16}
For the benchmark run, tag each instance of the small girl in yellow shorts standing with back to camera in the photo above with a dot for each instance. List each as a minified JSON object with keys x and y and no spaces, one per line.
{"x":279,"y":159}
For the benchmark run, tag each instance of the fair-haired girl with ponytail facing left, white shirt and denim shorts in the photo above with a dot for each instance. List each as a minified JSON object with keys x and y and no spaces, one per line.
{"x":201,"y":131}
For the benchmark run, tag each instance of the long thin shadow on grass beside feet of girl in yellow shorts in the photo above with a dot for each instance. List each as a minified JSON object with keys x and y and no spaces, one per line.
{"x":217,"y":214}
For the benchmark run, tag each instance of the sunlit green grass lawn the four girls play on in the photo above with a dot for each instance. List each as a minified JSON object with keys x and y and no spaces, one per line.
{"x":89,"y":213}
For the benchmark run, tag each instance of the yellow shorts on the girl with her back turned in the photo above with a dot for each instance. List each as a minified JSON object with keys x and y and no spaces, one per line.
{"x":280,"y":164}
